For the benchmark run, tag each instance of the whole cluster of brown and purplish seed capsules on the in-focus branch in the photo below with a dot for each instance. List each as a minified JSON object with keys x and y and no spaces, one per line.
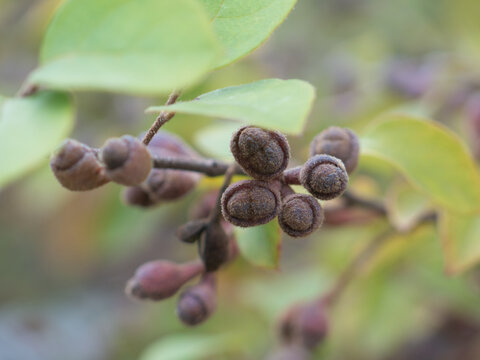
{"x":260,"y":153}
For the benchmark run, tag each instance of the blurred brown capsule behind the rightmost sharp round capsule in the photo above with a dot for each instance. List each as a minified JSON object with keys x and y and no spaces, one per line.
{"x":338,"y":142}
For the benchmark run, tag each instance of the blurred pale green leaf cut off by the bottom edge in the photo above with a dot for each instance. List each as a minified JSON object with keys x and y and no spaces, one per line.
{"x":188,"y":347}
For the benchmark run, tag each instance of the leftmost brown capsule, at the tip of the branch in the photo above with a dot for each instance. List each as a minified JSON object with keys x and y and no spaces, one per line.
{"x":77,"y":168}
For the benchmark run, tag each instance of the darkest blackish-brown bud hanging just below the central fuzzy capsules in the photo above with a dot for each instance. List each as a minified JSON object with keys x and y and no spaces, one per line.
{"x":214,"y":247}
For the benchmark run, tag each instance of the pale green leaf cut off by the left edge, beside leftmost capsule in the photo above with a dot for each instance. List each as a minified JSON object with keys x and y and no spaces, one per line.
{"x":30,"y":129}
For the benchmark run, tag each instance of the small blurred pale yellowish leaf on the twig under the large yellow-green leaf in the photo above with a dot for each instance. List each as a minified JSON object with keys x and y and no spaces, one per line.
{"x":405,"y":206}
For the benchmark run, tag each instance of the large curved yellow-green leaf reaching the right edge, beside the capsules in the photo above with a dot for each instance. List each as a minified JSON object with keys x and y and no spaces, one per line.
{"x":430,"y":156}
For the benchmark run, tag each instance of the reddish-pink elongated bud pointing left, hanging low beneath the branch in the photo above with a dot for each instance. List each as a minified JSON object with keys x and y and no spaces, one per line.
{"x":158,"y":280}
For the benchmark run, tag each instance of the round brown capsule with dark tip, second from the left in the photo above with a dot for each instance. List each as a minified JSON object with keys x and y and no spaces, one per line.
{"x":127,"y":160}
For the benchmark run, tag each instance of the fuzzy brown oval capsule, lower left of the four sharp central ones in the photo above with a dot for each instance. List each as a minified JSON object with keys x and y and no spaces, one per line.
{"x":250,"y":203}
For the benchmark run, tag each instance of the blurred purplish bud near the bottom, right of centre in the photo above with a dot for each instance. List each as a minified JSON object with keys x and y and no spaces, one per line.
{"x":306,"y":324}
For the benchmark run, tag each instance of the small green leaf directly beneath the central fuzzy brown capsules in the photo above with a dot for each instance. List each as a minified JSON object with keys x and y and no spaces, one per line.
{"x":260,"y":245}
